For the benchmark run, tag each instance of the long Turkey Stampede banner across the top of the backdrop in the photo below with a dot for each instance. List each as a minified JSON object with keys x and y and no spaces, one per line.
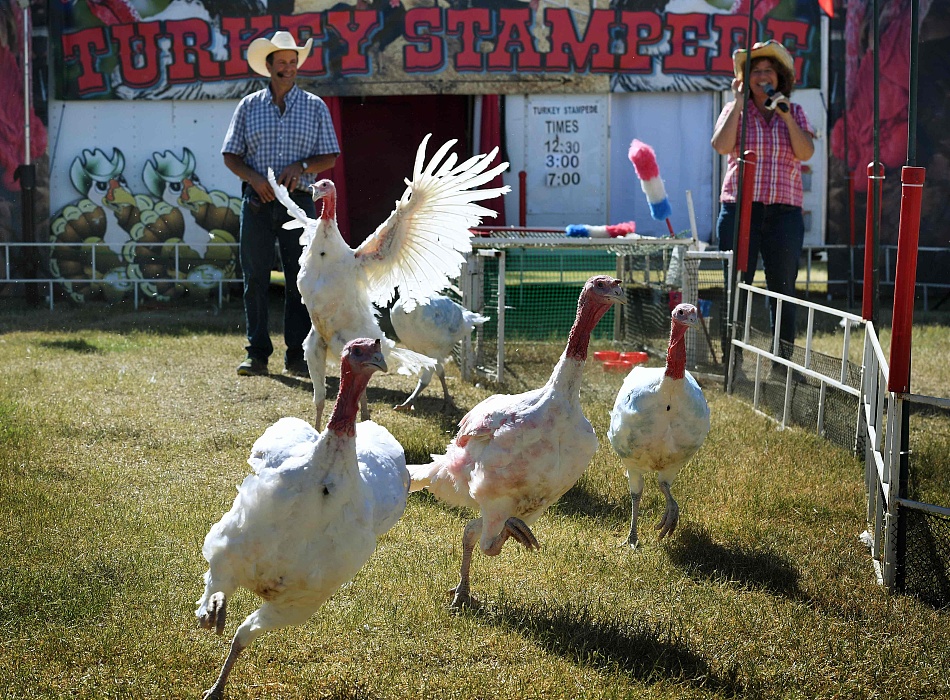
{"x":114,"y":50}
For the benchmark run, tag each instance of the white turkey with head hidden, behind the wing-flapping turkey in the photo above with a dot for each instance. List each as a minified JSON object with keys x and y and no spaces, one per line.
{"x":433,"y":327}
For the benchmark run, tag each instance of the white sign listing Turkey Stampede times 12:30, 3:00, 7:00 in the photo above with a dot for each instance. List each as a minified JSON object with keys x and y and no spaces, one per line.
{"x":566,"y":156}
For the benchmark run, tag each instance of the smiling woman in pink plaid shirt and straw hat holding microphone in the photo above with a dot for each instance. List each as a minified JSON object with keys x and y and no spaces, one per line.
{"x":779,"y":132}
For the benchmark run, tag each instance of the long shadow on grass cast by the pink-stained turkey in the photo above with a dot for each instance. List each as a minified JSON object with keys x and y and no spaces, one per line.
{"x":629,"y":644}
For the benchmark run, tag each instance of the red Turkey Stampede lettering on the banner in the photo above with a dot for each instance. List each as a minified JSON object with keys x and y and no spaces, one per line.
{"x":142,"y":49}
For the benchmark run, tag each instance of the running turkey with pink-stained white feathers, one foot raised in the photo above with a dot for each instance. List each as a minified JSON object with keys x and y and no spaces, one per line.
{"x":515,"y":455}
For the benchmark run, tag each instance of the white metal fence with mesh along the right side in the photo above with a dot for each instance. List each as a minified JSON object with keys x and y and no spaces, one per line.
{"x":793,"y":385}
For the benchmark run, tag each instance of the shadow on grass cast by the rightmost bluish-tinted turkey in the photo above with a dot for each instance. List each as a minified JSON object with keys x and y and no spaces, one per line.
{"x":695,"y":552}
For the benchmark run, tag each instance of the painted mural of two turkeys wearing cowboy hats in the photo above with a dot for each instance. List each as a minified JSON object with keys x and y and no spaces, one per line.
{"x":114,"y":240}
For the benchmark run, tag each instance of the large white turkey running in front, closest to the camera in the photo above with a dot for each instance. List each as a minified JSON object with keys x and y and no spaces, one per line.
{"x":308,"y":518}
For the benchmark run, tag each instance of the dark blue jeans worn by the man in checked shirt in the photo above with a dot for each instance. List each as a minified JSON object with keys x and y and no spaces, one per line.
{"x":262,"y":225}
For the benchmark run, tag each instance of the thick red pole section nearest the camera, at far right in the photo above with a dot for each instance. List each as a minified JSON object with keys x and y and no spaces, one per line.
{"x":905,"y":278}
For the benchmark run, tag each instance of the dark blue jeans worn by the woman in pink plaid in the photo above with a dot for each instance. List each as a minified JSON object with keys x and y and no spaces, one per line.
{"x":777,"y":232}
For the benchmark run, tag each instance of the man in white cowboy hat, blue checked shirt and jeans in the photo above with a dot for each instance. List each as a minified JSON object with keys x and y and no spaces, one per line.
{"x":290,"y":131}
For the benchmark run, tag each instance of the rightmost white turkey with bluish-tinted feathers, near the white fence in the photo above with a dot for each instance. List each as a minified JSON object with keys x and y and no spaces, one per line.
{"x":659,"y":420}
